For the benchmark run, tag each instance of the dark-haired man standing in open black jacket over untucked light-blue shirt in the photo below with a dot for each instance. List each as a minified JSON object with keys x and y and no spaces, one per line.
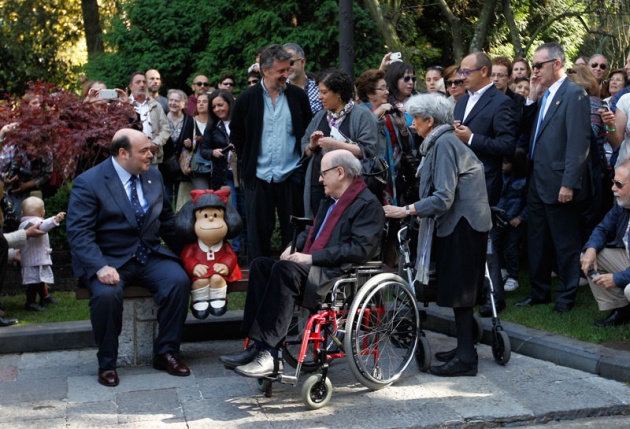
{"x":268,"y":122}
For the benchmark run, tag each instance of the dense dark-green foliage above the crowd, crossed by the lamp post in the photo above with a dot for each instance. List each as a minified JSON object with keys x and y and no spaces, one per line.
{"x":182,"y":38}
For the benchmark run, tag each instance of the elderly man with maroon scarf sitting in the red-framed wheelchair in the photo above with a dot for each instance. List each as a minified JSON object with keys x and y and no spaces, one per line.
{"x":347,"y":229}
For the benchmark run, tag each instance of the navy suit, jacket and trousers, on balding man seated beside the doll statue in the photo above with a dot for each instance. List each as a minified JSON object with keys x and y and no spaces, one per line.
{"x":102,"y":230}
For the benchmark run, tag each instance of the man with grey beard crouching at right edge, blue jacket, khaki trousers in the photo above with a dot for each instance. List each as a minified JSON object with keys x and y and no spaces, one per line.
{"x":605,"y":255}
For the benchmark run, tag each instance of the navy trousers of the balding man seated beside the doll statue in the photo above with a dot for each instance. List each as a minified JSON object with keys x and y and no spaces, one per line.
{"x":170,"y":286}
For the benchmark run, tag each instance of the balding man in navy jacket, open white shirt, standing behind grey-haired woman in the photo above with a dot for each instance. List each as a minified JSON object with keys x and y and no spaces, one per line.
{"x":484,"y":120}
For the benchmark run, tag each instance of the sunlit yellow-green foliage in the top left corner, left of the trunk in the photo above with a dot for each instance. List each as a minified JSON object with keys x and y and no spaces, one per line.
{"x":33,"y":35}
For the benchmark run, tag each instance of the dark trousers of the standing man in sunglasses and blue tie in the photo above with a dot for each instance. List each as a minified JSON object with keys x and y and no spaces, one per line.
{"x":553,"y":229}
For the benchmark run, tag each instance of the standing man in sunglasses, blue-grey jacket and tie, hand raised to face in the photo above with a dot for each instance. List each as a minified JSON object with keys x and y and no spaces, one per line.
{"x":559,"y":178}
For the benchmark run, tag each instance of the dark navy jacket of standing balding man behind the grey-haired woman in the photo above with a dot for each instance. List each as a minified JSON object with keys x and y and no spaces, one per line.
{"x":494,"y":127}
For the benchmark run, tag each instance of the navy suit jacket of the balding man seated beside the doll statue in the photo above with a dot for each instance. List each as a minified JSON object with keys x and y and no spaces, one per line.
{"x":101,"y":224}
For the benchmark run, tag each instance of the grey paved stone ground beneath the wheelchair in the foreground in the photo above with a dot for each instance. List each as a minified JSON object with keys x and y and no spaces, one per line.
{"x":59,"y":390}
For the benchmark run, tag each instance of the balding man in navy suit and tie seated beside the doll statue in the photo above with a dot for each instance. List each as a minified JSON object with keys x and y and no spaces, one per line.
{"x":116,"y":216}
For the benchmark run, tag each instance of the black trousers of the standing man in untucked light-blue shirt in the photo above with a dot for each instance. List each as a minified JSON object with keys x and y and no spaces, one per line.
{"x":262,"y":200}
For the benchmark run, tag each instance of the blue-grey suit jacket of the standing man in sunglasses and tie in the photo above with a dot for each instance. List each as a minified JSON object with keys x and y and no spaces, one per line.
{"x":562,"y":150}
